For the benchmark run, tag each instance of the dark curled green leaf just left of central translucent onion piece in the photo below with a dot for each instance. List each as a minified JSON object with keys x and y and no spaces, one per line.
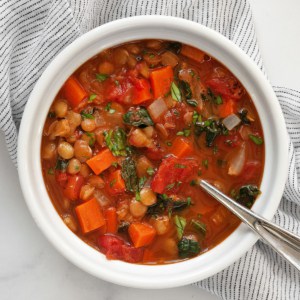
{"x":138,"y":117}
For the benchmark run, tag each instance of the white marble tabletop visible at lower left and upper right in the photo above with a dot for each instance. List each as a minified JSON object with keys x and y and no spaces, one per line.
{"x":30,"y":268}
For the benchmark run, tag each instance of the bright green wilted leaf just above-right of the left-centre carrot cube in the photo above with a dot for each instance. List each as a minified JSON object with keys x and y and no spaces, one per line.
{"x":116,"y":141}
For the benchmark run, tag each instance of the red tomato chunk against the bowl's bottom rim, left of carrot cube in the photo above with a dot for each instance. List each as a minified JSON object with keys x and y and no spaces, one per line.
{"x":115,"y":248}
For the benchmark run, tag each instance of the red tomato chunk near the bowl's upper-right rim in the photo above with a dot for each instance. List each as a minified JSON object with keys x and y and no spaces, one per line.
{"x":228,"y":87}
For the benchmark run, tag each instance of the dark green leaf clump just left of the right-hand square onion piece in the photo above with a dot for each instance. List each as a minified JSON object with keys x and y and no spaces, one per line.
{"x":212,"y":129}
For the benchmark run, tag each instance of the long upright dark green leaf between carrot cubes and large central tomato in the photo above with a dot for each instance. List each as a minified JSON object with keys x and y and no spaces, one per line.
{"x":129,"y":175}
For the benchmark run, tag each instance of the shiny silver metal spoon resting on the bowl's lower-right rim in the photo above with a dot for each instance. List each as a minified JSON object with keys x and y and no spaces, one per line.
{"x":282,"y":241}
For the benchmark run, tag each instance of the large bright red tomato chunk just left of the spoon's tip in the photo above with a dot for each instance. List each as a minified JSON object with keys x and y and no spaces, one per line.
{"x":170,"y":173}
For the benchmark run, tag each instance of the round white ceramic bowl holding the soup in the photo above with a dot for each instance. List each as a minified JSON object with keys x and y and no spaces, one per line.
{"x":93,"y":42}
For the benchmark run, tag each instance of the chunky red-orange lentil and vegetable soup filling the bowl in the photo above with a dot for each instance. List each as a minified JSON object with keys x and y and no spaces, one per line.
{"x":128,"y":136}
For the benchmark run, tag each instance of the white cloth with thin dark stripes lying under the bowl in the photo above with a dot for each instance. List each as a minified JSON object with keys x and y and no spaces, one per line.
{"x":32,"y":32}
